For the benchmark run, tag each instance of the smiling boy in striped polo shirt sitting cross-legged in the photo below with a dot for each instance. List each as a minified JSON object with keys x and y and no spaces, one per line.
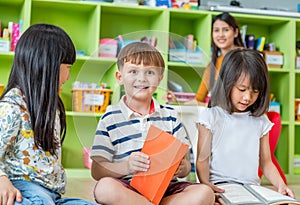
{"x":121,"y":132}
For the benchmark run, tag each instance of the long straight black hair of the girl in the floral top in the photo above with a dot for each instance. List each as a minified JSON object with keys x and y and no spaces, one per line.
{"x":35,"y":71}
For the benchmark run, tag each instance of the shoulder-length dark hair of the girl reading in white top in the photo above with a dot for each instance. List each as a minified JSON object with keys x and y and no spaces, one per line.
{"x":242,"y":62}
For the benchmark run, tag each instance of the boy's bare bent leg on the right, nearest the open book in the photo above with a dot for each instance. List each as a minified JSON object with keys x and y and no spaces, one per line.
{"x":197,"y":194}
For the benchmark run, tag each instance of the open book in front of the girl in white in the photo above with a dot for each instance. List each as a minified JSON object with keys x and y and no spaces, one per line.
{"x":252,"y":194}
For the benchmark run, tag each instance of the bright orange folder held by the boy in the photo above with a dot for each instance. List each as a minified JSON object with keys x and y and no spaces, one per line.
{"x":165,"y":152}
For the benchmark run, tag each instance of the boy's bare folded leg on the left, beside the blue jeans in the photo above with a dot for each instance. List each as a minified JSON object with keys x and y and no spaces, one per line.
{"x":109,"y":191}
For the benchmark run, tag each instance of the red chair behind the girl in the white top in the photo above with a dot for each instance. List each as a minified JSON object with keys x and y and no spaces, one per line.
{"x":273,"y":139}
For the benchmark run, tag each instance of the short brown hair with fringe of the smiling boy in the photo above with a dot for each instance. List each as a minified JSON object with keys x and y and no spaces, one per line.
{"x":139,"y":52}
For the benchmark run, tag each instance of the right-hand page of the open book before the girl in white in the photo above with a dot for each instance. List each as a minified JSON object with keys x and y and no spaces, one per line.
{"x":270,"y":195}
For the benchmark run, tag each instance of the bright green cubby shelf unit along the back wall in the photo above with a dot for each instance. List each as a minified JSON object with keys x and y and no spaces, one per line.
{"x":87,"y":22}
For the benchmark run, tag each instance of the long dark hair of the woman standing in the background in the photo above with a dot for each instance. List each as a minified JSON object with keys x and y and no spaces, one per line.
{"x":230,"y":20}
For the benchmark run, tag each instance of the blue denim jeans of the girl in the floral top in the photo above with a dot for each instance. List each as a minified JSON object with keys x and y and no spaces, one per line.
{"x":34,"y":194}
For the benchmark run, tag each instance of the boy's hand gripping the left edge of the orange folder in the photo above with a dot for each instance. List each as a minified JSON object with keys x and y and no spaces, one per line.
{"x":138,"y":162}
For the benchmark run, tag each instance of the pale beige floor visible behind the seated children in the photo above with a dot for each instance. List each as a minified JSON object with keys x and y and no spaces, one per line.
{"x":81,"y":185}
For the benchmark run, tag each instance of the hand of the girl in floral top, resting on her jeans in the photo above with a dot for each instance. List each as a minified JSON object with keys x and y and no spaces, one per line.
{"x":8,"y":193}
